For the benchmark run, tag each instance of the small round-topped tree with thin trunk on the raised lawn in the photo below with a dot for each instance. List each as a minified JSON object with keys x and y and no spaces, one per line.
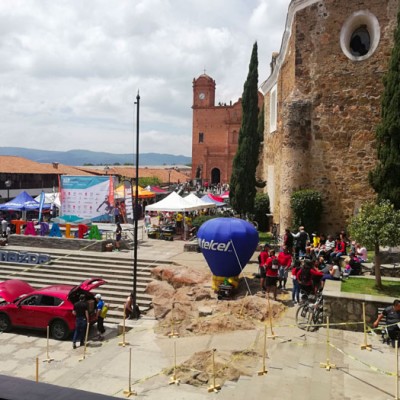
{"x":374,"y":226}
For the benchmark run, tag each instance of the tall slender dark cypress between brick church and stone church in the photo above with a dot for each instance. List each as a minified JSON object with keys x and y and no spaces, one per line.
{"x":243,"y":180}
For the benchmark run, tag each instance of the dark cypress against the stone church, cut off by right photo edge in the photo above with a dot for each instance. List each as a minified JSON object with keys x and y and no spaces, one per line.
{"x":385,"y":179}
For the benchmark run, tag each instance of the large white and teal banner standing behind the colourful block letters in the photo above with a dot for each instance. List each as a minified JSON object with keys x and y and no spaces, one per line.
{"x":86,"y":197}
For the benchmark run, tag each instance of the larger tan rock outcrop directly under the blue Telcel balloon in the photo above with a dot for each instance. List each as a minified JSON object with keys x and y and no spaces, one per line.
{"x":184,"y":303}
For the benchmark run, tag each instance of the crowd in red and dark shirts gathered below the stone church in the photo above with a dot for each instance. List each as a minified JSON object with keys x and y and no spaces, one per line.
{"x":309,"y":261}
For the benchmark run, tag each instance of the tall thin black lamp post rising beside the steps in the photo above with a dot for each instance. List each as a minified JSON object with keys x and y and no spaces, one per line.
{"x":135,"y":307}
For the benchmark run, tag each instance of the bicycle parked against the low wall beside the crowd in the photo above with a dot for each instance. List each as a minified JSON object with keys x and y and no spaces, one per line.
{"x":310,"y":314}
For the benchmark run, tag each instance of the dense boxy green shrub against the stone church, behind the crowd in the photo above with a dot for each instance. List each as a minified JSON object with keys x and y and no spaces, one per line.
{"x":306,"y":205}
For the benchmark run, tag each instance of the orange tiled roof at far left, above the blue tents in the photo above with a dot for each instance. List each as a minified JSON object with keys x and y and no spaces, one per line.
{"x":20,"y":165}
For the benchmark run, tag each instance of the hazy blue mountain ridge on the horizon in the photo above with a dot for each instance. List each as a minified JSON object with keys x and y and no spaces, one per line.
{"x":81,"y":157}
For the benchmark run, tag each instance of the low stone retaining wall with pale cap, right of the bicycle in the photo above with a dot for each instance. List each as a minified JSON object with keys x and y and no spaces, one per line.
{"x":347,"y":307}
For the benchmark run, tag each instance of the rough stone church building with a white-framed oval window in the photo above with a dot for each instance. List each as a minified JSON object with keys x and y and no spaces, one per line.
{"x":322,"y":103}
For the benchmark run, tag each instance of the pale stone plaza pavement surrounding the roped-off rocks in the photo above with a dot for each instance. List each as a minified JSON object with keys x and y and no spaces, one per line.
{"x":293,"y":362}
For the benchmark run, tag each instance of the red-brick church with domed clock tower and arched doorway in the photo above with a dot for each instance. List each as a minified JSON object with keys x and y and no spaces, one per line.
{"x":215,"y":133}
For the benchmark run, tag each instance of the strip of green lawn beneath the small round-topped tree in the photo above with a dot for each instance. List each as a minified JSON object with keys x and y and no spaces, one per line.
{"x":367,"y":286}
